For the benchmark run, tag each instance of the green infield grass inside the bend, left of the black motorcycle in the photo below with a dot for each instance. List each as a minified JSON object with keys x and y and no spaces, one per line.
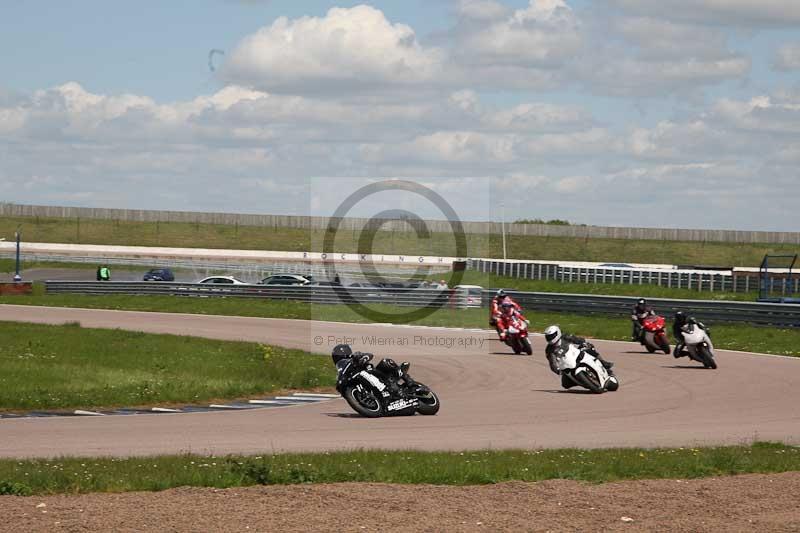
{"x":70,"y":367}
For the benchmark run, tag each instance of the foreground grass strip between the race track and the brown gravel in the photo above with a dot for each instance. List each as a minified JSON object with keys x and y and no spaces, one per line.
{"x":442,"y":468}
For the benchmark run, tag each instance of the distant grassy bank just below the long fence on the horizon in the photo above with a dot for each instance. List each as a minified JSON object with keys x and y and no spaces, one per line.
{"x":87,"y":231}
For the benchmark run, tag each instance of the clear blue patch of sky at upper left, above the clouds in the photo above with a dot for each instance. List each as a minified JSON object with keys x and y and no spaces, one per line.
{"x":152,"y":47}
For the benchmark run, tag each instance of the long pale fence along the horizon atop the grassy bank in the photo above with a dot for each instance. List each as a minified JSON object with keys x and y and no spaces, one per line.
{"x":437,"y":226}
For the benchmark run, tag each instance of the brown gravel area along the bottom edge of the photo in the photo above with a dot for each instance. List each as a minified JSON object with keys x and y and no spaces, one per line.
{"x":740,"y":503}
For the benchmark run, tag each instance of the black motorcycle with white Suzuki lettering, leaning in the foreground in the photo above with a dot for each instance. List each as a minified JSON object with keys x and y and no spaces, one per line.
{"x":385,"y":389}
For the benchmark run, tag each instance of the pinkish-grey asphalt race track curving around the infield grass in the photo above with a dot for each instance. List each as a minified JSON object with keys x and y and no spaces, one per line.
{"x":490,"y":398}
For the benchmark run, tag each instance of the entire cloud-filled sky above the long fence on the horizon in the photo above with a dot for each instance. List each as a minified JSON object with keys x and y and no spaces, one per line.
{"x":571,"y":109}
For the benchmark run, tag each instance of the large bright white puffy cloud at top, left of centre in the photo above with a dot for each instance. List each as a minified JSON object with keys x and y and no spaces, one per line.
{"x":347,"y":48}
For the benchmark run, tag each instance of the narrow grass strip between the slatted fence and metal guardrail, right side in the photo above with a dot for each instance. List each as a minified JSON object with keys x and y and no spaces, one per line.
{"x":645,"y":291}
